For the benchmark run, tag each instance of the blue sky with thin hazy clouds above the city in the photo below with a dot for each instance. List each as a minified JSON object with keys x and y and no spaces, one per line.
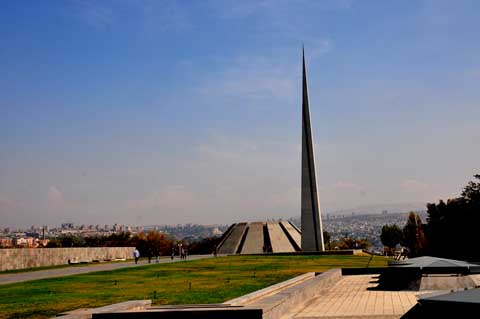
{"x":154,"y":112}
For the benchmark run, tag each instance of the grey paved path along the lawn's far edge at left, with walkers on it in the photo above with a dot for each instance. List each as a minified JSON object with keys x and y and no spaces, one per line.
{"x":68,"y":271}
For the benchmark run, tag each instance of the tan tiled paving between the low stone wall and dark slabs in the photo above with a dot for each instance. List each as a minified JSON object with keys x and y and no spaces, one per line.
{"x":352,"y":297}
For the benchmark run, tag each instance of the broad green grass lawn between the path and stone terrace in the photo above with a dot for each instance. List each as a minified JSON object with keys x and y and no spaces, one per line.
{"x":212,"y":280}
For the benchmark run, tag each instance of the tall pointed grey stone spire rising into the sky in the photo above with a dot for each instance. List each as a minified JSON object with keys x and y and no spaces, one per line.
{"x":312,"y":236}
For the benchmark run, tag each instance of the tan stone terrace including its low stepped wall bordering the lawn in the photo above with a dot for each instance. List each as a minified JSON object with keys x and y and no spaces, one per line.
{"x":327,"y":295}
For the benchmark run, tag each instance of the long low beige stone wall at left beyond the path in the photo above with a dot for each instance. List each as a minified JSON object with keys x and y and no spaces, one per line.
{"x":37,"y":257}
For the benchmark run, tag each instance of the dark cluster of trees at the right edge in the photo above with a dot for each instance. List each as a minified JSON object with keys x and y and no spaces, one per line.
{"x":451,"y":230}
